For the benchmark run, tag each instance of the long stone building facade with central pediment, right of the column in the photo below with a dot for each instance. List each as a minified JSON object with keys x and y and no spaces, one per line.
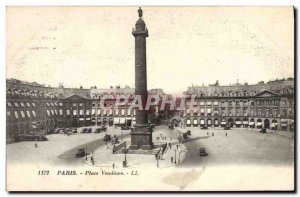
{"x":263,"y":105}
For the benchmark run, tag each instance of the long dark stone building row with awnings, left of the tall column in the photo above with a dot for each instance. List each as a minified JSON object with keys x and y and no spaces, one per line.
{"x":33,"y":108}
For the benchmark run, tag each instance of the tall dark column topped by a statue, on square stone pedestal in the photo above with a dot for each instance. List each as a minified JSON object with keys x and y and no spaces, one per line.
{"x":141,"y":135}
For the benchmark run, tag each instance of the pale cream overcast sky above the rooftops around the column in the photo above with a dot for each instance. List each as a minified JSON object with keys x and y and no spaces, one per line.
{"x":186,"y":45}
